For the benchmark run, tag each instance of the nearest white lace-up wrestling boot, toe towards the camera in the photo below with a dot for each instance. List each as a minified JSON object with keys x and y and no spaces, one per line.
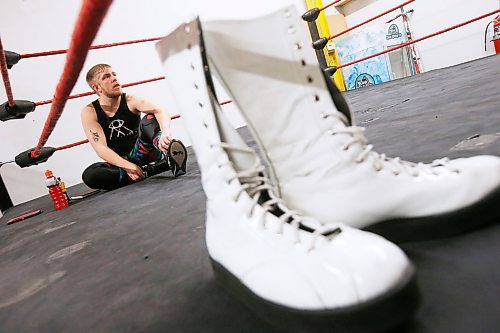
{"x":291,"y":270}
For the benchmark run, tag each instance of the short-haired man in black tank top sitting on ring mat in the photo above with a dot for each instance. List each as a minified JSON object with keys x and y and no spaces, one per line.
{"x":133,"y":148}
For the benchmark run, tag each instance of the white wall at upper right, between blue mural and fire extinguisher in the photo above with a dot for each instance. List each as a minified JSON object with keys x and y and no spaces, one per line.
{"x":451,"y":48}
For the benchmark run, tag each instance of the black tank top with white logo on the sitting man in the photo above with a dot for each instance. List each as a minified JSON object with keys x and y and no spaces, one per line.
{"x":122,"y":129}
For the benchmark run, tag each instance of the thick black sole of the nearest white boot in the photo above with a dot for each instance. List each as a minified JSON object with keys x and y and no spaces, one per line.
{"x":387,"y":311}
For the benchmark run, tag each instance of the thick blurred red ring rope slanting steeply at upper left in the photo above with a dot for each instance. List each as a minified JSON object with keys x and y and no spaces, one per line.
{"x":89,"y":20}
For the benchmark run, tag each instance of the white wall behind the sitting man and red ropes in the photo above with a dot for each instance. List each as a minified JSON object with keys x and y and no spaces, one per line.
{"x":34,"y":26}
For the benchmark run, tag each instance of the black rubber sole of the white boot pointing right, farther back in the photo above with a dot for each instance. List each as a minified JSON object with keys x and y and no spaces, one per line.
{"x":480,"y":214}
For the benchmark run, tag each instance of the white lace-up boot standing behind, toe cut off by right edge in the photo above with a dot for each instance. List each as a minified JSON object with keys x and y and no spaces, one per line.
{"x":324,"y":168}
